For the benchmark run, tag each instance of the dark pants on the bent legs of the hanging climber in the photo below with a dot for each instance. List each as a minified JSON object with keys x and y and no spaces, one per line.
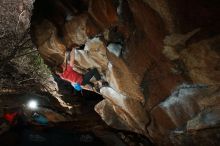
{"x":87,"y":77}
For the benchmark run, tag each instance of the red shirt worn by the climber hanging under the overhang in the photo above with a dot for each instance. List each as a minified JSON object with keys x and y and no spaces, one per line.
{"x":72,"y":76}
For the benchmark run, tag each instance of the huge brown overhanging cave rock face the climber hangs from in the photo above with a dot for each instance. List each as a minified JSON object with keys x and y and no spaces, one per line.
{"x":165,"y":82}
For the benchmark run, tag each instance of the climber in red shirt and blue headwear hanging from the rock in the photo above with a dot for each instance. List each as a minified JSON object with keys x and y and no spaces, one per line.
{"x":76,"y":79}
